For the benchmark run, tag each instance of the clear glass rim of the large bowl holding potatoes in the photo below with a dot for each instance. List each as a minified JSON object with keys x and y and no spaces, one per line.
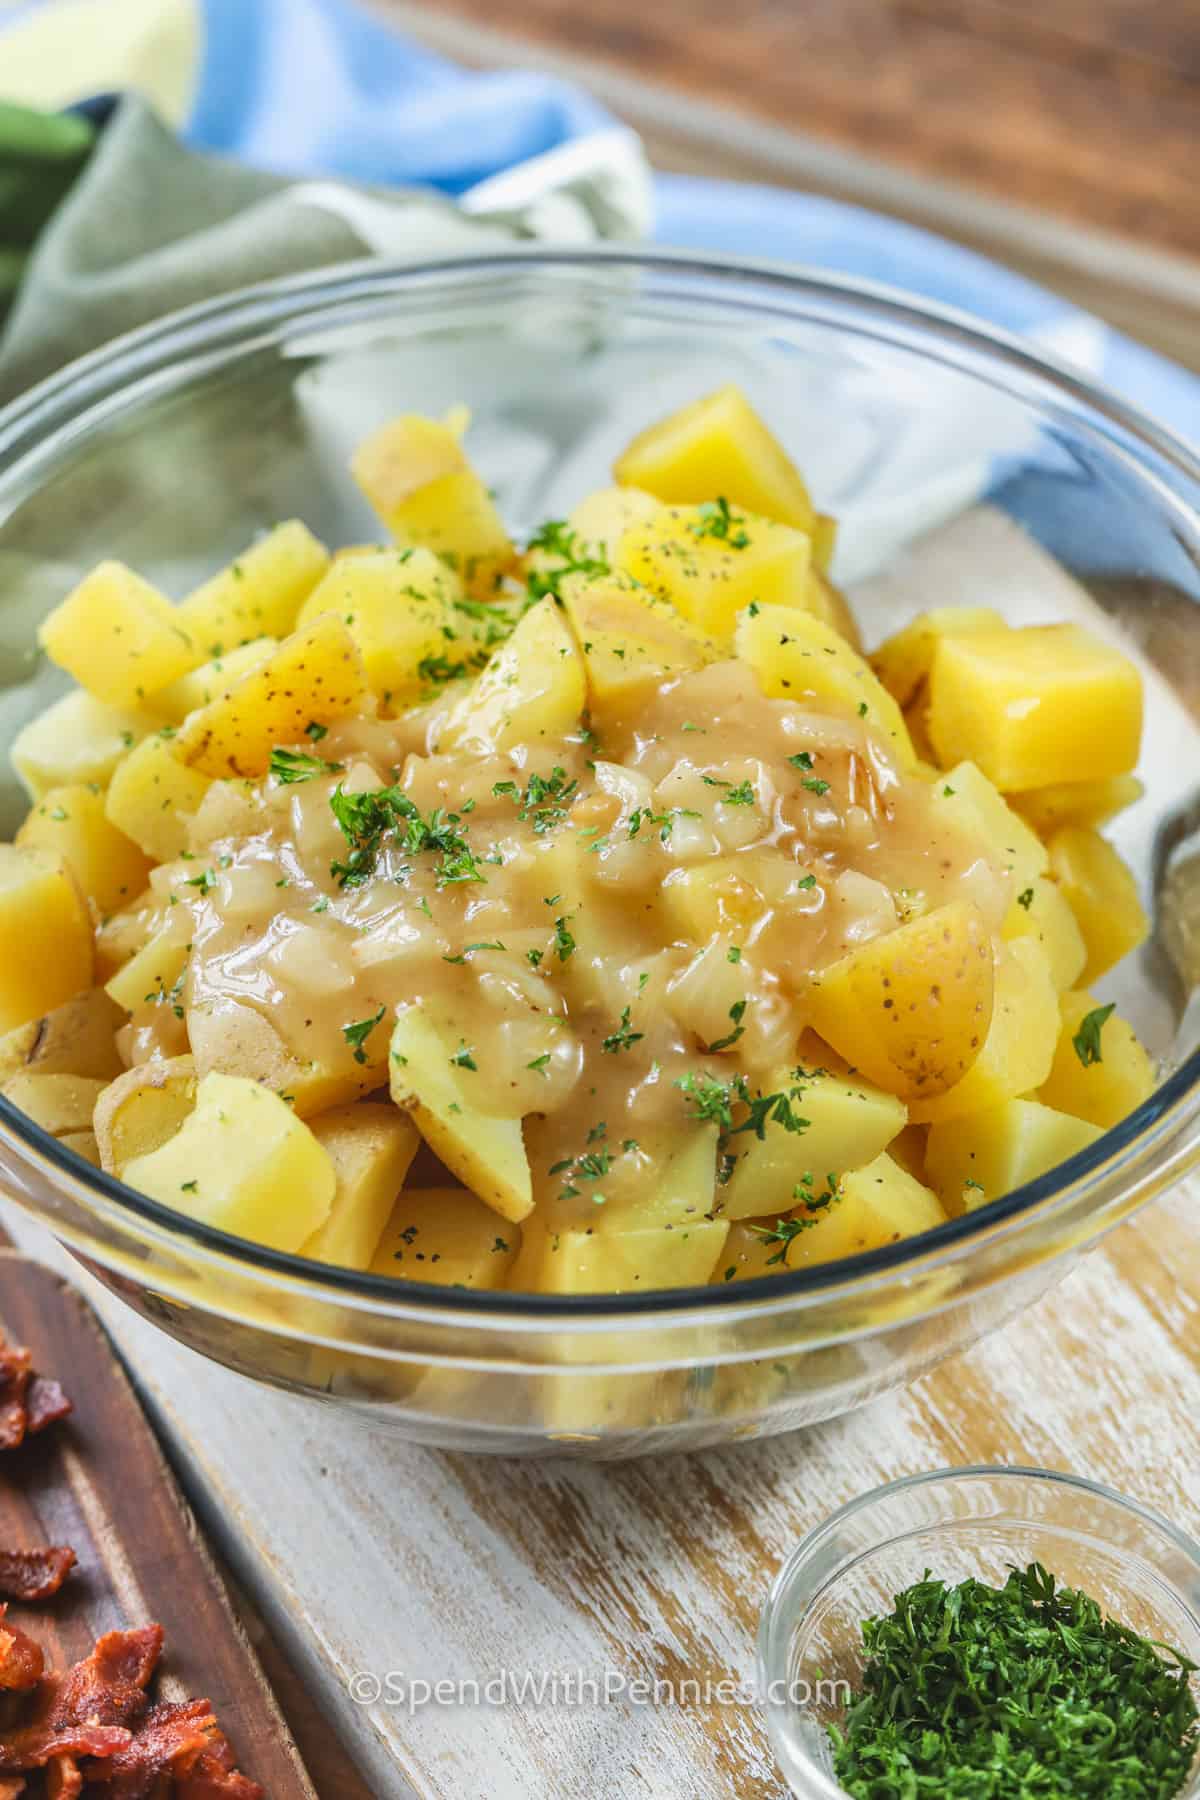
{"x":44,"y":420}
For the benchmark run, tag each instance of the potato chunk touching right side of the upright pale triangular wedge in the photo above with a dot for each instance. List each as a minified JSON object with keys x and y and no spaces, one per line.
{"x":631,"y":642}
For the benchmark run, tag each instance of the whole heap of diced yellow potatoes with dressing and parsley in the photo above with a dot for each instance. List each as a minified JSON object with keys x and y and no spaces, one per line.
{"x":584,"y":915}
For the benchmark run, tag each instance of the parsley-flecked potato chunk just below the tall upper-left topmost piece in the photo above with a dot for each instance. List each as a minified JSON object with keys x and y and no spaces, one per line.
{"x":399,"y":607}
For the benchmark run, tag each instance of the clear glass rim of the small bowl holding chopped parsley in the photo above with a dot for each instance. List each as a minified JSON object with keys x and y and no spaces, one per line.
{"x":775,"y":1635}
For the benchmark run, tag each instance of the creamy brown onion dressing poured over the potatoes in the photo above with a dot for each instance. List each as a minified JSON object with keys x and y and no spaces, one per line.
{"x":695,"y":877}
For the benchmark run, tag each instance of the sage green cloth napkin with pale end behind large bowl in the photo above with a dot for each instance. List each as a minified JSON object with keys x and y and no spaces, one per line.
{"x":102,"y":233}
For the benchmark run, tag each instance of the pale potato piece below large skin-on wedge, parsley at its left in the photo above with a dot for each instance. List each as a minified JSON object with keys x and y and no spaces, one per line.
{"x":850,"y":1124}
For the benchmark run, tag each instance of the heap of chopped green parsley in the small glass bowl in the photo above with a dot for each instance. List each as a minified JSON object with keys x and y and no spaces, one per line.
{"x":980,"y":1693}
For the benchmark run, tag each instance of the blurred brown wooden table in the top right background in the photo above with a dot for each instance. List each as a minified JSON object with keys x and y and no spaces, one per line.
{"x":1061,"y":139}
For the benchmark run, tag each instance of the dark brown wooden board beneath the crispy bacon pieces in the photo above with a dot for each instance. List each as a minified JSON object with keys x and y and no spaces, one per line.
{"x":98,"y":1482}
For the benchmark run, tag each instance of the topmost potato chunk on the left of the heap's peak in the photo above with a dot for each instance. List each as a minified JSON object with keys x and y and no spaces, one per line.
{"x":418,"y":478}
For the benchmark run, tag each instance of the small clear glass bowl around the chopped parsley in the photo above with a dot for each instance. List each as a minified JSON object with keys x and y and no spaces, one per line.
{"x":954,"y":1524}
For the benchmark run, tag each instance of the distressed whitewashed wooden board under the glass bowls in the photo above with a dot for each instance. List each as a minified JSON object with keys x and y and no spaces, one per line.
{"x":368,"y":1554}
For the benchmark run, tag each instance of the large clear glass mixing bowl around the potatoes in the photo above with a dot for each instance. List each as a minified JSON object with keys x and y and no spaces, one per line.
{"x":174,"y":447}
